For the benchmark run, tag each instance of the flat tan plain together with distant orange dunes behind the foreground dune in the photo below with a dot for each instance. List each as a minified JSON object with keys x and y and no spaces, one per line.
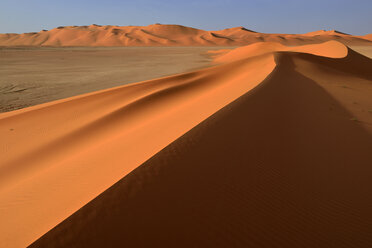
{"x":72,"y":60}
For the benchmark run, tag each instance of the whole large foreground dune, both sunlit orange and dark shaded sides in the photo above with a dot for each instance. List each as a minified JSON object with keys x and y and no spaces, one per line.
{"x":259,"y":151}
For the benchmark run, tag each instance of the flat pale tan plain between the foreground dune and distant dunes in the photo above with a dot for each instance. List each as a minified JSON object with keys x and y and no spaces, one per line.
{"x":30,"y":76}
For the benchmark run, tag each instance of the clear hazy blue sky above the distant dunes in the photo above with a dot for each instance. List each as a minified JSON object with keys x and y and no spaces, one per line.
{"x":270,"y":16}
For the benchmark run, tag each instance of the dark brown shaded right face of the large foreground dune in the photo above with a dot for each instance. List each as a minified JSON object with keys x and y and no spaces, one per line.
{"x":281,"y":166}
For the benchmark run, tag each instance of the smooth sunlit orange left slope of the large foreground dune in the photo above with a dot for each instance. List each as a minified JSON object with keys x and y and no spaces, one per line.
{"x":58,"y":156}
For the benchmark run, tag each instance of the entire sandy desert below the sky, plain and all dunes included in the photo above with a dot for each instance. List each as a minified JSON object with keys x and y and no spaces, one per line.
{"x":172,"y":136}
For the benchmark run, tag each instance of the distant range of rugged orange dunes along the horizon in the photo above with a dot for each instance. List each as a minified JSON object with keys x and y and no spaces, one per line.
{"x":166,"y":35}
